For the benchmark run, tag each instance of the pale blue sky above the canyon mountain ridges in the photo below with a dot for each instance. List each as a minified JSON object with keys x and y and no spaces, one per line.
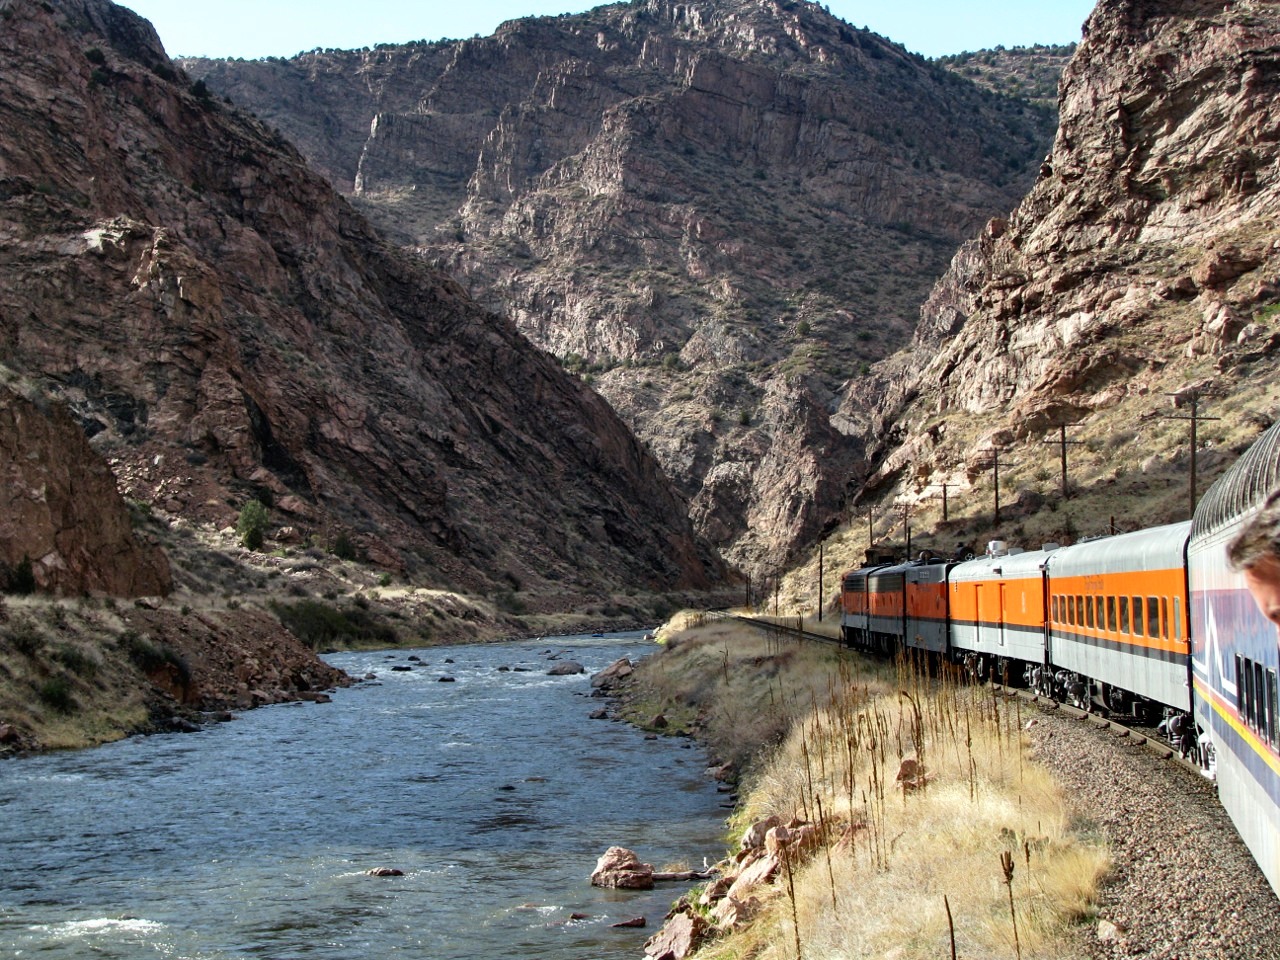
{"x":254,"y":29}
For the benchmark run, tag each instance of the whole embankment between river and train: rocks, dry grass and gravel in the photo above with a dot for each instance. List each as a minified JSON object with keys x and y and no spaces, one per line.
{"x":938,"y":816}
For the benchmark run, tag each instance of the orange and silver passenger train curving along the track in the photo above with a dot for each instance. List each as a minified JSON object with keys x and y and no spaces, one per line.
{"x":1154,"y":627}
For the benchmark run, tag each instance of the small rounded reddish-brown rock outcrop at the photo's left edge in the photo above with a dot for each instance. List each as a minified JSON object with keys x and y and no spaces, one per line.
{"x":62,"y":510}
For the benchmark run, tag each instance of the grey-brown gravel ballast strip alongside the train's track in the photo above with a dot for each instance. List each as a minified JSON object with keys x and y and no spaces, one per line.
{"x":1183,"y":885}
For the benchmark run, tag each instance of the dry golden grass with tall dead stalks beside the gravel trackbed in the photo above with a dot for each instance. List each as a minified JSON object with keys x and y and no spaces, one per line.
{"x":898,"y":858}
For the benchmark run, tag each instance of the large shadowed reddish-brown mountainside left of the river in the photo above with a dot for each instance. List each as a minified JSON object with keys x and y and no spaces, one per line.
{"x":223,"y":326}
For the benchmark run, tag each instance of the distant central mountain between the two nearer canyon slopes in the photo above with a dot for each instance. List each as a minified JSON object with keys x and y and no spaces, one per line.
{"x":717,"y":211}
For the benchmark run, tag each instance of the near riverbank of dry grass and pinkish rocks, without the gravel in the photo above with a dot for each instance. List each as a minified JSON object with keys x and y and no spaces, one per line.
{"x":909,"y":816}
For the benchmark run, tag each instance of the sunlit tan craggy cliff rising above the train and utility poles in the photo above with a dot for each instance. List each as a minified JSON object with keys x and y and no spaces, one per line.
{"x":1144,"y":263}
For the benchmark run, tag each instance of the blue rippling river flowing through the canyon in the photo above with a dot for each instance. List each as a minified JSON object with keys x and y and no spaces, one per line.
{"x":493,"y":794}
